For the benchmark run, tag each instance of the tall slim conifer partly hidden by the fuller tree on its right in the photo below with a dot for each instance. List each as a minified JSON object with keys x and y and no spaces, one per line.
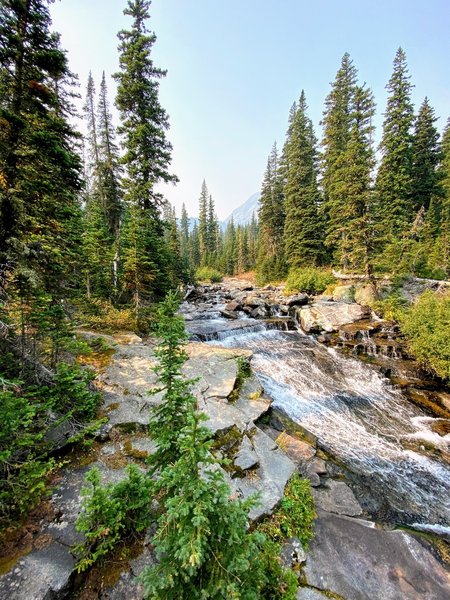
{"x":336,"y":122}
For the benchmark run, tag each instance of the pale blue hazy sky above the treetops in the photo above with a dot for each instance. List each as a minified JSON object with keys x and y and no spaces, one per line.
{"x":236,"y":66}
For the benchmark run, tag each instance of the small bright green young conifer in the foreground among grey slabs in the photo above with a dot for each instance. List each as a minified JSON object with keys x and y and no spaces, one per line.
{"x":201,"y":526}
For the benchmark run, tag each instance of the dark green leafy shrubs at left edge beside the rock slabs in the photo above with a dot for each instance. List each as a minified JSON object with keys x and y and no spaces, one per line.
{"x":29,"y":414}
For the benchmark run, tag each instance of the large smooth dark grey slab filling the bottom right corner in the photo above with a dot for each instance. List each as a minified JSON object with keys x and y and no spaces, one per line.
{"x":353,"y":559}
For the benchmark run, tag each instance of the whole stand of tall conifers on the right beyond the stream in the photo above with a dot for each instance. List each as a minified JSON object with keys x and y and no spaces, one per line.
{"x":332,"y":204}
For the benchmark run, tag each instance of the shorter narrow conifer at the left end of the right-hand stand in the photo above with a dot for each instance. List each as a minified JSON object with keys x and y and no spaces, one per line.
{"x":271,"y":263}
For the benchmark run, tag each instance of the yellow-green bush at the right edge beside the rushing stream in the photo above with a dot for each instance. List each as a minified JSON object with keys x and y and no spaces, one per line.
{"x":426,"y":327}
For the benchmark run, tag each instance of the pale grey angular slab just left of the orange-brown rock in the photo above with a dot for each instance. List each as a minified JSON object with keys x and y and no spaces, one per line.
{"x":269,"y":480}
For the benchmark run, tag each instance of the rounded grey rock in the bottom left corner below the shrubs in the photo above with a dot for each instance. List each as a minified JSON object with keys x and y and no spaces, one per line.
{"x":41,"y":575}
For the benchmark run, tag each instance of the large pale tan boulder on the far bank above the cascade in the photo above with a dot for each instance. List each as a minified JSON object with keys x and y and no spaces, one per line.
{"x":329,"y":316}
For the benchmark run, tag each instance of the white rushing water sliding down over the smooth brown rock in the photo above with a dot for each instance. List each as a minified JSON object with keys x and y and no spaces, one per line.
{"x":358,"y":417}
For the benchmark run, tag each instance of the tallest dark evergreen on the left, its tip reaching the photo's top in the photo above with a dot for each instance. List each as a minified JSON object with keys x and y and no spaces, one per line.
{"x":146,"y":159}
